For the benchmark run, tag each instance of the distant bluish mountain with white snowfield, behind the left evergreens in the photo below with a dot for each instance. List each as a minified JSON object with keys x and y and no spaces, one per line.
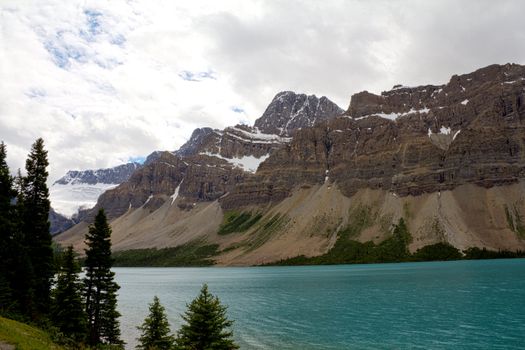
{"x":81,"y":189}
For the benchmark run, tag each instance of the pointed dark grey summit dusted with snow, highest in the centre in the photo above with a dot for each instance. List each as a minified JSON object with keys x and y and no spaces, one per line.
{"x":289,"y":112}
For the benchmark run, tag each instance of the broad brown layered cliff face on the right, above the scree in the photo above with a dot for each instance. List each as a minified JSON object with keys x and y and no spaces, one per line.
{"x":408,"y":141}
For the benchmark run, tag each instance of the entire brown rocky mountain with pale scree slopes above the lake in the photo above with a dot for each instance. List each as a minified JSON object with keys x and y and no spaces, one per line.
{"x":448,"y":159}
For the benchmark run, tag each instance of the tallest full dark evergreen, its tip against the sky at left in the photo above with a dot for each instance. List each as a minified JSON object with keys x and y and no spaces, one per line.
{"x":35,"y":225}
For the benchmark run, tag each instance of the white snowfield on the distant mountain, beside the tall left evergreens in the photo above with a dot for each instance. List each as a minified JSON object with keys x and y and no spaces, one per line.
{"x":67,"y":199}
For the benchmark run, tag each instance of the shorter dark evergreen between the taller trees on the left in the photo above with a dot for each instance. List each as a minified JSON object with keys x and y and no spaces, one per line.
{"x":67,"y":310}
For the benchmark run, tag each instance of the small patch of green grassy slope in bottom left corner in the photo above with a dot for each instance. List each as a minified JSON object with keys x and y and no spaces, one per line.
{"x":25,"y":337}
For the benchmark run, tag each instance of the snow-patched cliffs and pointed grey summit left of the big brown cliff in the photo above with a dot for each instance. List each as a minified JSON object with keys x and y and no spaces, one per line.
{"x":213,"y":162}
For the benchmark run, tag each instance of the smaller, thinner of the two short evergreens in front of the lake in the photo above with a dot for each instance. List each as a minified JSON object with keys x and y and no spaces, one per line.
{"x":156,"y":329}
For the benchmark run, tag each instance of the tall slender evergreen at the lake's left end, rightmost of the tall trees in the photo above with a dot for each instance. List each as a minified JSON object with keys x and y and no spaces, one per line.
{"x":100,"y":288}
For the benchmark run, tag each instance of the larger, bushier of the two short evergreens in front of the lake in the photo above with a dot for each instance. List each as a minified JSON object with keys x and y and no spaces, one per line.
{"x":206,"y":325}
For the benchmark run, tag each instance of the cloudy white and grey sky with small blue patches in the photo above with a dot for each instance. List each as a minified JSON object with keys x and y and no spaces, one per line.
{"x":104,"y":82}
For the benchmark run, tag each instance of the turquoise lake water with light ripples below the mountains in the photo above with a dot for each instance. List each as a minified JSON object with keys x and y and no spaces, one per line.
{"x":434,"y":305}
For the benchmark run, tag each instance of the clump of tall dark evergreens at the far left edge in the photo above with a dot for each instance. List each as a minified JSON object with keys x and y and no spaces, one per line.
{"x":25,"y":243}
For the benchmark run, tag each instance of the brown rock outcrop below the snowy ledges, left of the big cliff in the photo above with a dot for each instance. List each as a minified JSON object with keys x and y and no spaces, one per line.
{"x":193,"y":179}
